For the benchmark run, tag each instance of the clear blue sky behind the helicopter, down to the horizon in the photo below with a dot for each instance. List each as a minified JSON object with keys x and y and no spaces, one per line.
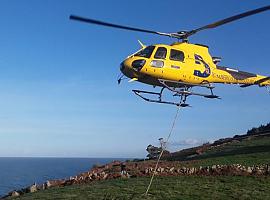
{"x":58,"y":78}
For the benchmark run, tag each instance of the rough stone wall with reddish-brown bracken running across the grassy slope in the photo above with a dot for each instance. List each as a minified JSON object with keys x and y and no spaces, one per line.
{"x":116,"y":170}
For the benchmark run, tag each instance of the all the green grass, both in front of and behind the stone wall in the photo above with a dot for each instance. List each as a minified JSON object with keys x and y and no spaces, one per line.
{"x":248,"y":152}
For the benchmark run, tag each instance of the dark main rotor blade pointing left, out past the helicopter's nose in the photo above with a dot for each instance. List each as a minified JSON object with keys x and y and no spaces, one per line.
{"x":93,"y":21}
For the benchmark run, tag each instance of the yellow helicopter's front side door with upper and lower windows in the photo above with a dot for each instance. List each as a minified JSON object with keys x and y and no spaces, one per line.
{"x":157,"y":62}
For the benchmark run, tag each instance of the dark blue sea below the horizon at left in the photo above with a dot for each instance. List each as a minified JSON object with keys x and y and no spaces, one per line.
{"x":17,"y":173}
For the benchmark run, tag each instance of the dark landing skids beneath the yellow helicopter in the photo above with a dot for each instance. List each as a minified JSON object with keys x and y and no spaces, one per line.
{"x":180,"y":89}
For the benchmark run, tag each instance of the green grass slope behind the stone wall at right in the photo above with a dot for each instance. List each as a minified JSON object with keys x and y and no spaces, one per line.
{"x":255,"y":151}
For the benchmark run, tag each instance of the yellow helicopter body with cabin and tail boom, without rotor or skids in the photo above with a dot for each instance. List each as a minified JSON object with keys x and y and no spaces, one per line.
{"x":182,"y":62}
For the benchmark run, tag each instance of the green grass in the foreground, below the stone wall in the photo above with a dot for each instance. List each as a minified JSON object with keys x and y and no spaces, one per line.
{"x":192,"y":187}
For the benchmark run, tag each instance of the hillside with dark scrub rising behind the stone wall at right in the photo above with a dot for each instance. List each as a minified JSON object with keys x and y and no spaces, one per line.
{"x":245,"y":150}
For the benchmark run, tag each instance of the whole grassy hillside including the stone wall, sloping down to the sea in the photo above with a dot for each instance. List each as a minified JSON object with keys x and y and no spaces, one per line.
{"x":209,"y":171}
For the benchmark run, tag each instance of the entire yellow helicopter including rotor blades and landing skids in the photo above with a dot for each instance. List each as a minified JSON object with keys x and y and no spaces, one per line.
{"x":181,"y":66}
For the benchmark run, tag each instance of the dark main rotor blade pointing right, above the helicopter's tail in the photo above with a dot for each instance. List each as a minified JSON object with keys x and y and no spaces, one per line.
{"x":228,"y":20}
